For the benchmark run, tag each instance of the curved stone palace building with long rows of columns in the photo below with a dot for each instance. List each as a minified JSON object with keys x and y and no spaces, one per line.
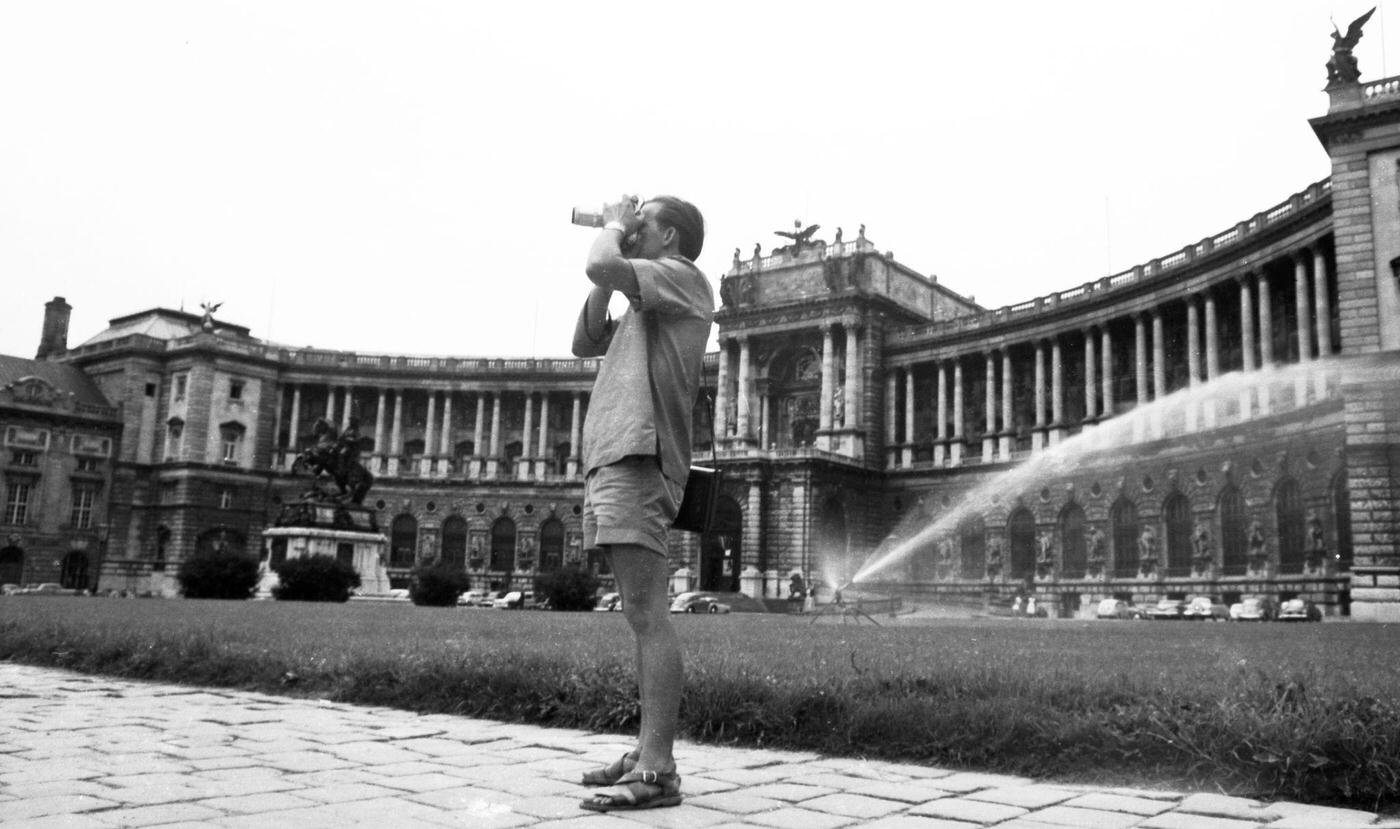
{"x":1223,"y":421}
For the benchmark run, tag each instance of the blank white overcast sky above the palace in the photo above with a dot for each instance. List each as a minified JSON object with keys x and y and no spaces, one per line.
{"x":397,"y":177}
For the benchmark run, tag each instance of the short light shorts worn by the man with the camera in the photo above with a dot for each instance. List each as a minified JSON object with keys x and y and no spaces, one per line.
{"x":631,"y":502}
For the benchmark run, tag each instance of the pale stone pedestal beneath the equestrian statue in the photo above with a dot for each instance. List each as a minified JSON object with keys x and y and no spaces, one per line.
{"x":325,"y":529}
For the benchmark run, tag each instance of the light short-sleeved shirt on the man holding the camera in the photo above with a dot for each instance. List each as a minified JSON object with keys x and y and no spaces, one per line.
{"x":640,"y":412}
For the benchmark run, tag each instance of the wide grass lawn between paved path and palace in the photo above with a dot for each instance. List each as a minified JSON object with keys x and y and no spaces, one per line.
{"x":1301,"y":712}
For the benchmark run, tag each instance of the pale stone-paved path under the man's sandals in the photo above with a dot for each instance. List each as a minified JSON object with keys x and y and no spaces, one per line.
{"x":92,"y":753}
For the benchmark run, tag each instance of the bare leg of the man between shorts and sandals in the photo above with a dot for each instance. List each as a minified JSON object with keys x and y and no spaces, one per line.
{"x":642,"y":580}
